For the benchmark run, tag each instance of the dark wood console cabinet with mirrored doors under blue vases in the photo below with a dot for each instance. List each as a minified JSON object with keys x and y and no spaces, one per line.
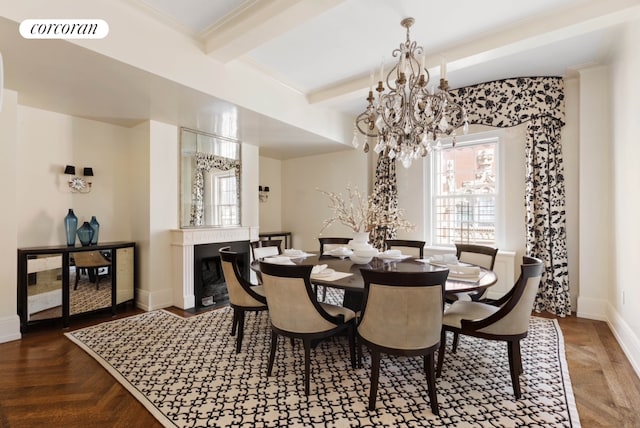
{"x":60,"y":282}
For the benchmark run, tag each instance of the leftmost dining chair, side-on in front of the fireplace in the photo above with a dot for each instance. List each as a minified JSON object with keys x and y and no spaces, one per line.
{"x":243,"y":296}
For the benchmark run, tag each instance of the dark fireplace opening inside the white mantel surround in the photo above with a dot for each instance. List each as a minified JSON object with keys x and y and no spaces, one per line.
{"x":209,"y":285}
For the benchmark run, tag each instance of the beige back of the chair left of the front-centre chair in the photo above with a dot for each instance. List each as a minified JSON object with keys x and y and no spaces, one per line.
{"x":293,"y":305}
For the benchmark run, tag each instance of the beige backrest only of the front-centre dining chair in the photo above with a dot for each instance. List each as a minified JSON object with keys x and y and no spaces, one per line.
{"x":403,"y":310}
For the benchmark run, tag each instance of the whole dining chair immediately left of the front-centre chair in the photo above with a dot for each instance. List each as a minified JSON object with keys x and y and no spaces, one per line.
{"x":295,"y":312}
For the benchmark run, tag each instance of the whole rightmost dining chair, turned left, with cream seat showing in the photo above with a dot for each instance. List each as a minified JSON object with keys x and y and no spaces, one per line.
{"x":506,"y":319}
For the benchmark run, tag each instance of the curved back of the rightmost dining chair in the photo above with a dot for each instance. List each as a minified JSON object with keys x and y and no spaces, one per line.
{"x":512,"y":319}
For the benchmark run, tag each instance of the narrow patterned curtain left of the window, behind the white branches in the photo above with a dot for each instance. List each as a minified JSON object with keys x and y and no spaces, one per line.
{"x":385,"y":194}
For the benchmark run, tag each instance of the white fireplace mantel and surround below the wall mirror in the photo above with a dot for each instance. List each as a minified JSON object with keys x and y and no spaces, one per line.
{"x":183,"y":246}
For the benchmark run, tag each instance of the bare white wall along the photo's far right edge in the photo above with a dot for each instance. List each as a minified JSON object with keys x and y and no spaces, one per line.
{"x":624,"y":314}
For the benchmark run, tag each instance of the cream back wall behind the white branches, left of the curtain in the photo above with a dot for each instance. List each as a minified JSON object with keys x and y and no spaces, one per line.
{"x":304,"y":208}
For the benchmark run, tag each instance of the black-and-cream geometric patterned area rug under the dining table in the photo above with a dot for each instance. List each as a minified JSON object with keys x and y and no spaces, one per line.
{"x":186,"y":373}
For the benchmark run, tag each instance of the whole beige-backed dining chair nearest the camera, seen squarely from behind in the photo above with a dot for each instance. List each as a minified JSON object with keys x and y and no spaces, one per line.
{"x":402,"y":315}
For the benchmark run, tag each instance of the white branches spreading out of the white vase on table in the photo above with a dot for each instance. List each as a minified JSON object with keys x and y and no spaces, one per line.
{"x":362,"y":214}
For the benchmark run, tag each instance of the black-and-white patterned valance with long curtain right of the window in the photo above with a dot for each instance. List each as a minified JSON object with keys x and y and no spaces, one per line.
{"x":538,"y":101}
